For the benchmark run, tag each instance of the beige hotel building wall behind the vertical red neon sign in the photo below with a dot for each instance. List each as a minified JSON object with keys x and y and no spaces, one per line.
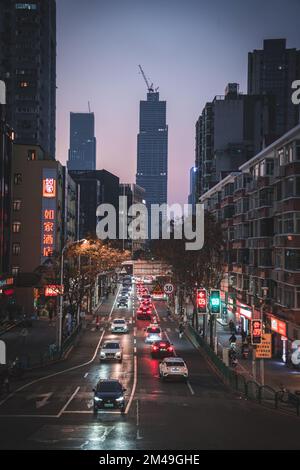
{"x":28,"y":170}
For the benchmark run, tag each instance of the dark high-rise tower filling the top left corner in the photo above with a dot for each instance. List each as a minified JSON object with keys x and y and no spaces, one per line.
{"x":28,"y":67}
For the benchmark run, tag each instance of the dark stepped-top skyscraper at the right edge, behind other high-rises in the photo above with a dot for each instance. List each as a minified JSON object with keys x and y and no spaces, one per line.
{"x":271,"y":71}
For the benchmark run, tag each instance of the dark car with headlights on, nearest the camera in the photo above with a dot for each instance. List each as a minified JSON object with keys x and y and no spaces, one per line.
{"x":109,"y":394}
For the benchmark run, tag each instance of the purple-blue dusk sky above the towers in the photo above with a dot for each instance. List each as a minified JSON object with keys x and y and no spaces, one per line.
{"x":191,"y":49}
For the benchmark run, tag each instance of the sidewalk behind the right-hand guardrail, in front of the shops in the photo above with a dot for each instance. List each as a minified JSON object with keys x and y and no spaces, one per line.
{"x":276,"y":372}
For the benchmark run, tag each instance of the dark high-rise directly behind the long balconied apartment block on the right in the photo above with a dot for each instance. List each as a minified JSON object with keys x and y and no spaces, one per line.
{"x":229,"y":131}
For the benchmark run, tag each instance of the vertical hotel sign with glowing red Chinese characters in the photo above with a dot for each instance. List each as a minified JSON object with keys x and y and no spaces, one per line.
{"x":48,"y":219}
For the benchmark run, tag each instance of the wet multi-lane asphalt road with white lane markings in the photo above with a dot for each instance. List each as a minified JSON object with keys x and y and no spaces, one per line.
{"x":52,"y":409}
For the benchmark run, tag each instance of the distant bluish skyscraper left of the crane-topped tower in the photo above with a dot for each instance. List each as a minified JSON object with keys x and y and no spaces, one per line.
{"x":82,"y":152}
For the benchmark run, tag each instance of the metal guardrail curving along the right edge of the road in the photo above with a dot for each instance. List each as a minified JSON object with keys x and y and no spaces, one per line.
{"x":262,"y":394}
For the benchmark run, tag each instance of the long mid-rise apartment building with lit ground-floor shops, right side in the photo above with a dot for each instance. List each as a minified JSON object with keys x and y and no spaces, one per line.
{"x":259,"y":208}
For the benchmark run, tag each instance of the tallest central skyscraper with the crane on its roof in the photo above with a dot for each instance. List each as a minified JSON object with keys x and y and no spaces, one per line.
{"x":152,"y":158}
